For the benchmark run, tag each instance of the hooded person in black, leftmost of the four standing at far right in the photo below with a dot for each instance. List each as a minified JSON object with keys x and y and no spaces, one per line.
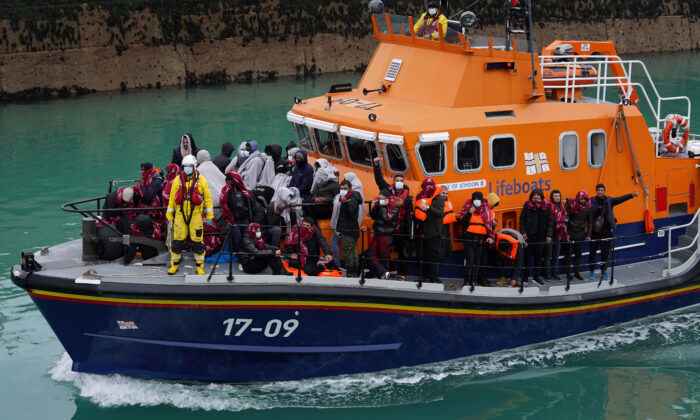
{"x":536,"y":223}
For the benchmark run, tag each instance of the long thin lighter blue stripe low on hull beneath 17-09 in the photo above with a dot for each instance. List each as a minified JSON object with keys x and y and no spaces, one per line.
{"x":258,"y":349}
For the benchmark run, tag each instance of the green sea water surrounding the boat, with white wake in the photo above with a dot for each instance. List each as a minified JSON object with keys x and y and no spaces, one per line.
{"x":62,"y":150}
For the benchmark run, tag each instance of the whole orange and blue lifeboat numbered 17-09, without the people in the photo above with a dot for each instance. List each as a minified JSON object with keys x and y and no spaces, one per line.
{"x":469,"y":112}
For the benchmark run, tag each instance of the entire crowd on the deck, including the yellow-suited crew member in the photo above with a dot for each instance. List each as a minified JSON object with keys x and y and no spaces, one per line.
{"x":263,"y":198}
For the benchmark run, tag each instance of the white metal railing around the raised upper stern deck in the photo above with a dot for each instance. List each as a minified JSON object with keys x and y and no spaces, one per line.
{"x":603,"y":80}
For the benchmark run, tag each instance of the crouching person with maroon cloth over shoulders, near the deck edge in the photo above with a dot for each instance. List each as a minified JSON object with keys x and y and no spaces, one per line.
{"x":305,"y":242}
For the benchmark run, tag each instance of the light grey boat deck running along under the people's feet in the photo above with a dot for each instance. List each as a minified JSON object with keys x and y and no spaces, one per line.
{"x":63,"y":261}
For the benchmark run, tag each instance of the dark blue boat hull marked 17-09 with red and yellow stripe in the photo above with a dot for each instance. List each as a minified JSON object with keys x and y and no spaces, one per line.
{"x":198,"y":337}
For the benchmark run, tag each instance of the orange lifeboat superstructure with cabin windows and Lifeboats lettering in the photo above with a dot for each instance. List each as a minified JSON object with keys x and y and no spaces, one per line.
{"x":465,"y":113}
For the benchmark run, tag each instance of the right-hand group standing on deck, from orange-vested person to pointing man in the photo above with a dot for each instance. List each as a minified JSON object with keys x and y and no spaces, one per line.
{"x":546,"y":227}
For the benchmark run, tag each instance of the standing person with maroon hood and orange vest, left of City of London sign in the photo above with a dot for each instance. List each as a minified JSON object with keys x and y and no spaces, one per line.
{"x":428,"y":213}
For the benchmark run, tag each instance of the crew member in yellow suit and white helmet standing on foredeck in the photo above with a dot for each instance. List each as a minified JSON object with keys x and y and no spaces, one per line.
{"x":188,"y":196}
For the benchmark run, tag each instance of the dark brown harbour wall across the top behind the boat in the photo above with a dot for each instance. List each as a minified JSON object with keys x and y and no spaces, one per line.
{"x":58,"y":50}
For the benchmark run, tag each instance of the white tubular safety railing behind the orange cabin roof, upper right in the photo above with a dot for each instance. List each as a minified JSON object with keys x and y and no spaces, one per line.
{"x":609,"y":72}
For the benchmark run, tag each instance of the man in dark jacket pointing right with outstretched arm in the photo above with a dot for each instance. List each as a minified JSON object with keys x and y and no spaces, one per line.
{"x":602,"y":206}
